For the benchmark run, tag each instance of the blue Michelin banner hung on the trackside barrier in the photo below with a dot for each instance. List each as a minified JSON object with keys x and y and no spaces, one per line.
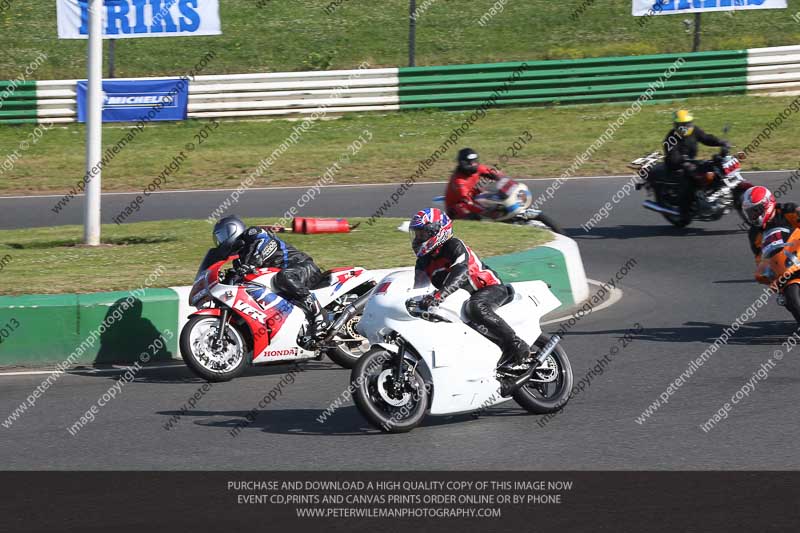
{"x":135,"y":100}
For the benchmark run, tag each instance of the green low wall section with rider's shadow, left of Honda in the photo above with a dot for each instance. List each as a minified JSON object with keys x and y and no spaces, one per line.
{"x":50,"y":328}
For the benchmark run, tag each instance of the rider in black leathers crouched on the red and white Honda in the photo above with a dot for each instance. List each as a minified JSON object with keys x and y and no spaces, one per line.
{"x":260,"y":248}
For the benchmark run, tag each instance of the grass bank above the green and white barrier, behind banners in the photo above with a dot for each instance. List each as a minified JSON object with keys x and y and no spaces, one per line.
{"x":299,"y":35}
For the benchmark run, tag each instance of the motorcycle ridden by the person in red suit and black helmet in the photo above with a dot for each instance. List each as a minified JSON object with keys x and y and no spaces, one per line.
{"x":507,"y":200}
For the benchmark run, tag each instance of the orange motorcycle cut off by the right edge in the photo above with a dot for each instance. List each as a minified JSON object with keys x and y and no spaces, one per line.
{"x":779,"y":266}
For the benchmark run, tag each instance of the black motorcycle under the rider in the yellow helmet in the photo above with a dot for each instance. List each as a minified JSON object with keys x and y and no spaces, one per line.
{"x":720,"y":190}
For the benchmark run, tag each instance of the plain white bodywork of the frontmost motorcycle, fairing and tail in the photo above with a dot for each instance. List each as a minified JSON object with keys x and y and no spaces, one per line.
{"x":460,"y":360}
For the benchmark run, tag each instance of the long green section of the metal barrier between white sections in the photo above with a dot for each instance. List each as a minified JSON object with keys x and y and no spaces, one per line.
{"x":572,"y":81}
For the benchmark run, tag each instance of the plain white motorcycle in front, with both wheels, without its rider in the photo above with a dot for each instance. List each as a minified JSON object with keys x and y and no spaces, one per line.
{"x":435,"y":361}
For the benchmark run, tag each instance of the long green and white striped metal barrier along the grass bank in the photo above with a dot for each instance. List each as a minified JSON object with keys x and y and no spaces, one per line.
{"x":320,"y":93}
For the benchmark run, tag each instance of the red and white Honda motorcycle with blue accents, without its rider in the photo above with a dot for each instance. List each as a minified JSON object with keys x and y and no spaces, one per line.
{"x":241,"y":320}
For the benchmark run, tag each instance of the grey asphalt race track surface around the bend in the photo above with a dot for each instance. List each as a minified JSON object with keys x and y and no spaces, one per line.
{"x":685,"y":288}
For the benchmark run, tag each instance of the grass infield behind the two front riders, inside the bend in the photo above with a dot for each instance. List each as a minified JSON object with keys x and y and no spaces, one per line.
{"x":47,"y":260}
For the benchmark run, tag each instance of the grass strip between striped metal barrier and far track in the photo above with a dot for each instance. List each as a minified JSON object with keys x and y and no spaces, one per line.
{"x":399,"y":142}
